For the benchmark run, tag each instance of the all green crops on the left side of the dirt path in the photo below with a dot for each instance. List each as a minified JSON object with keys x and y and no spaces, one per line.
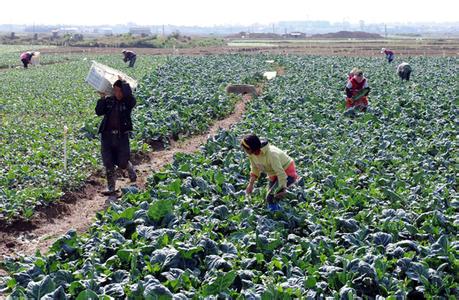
{"x":38,"y":103}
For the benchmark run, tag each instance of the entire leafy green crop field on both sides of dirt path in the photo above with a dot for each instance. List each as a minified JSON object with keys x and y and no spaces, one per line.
{"x":375,"y":216}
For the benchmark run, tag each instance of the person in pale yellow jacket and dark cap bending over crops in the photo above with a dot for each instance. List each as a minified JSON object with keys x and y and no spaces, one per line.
{"x":269,"y":159}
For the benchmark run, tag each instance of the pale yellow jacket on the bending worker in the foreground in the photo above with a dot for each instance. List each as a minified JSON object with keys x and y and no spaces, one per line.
{"x":272,"y":161}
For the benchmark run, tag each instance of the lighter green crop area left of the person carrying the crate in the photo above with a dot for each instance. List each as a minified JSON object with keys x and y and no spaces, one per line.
{"x":35,"y":105}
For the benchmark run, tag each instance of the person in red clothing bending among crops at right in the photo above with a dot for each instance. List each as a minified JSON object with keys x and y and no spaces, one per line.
{"x":356,"y":91}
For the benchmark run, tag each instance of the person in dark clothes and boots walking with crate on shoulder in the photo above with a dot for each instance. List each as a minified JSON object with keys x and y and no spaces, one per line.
{"x":114,"y":130}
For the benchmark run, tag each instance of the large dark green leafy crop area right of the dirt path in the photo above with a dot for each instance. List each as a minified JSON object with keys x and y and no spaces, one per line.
{"x":376,"y":214}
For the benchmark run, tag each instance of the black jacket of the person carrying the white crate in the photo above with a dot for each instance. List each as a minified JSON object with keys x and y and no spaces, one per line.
{"x":105,"y":105}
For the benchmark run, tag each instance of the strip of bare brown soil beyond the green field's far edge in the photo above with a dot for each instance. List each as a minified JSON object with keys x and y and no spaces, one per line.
{"x":327,"y":47}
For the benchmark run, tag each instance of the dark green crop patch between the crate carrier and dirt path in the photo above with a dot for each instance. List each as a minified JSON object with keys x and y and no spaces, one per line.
{"x":185,"y":94}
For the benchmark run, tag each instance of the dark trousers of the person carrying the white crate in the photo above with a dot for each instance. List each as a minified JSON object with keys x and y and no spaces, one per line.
{"x":115,"y":150}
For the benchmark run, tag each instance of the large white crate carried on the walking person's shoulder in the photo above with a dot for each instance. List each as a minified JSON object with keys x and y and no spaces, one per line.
{"x":102,"y":78}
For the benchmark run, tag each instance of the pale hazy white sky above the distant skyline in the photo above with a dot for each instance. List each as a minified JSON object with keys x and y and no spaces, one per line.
{"x":208,"y":12}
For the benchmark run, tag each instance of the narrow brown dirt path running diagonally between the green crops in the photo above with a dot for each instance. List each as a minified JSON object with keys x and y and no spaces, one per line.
{"x":77,"y":210}
